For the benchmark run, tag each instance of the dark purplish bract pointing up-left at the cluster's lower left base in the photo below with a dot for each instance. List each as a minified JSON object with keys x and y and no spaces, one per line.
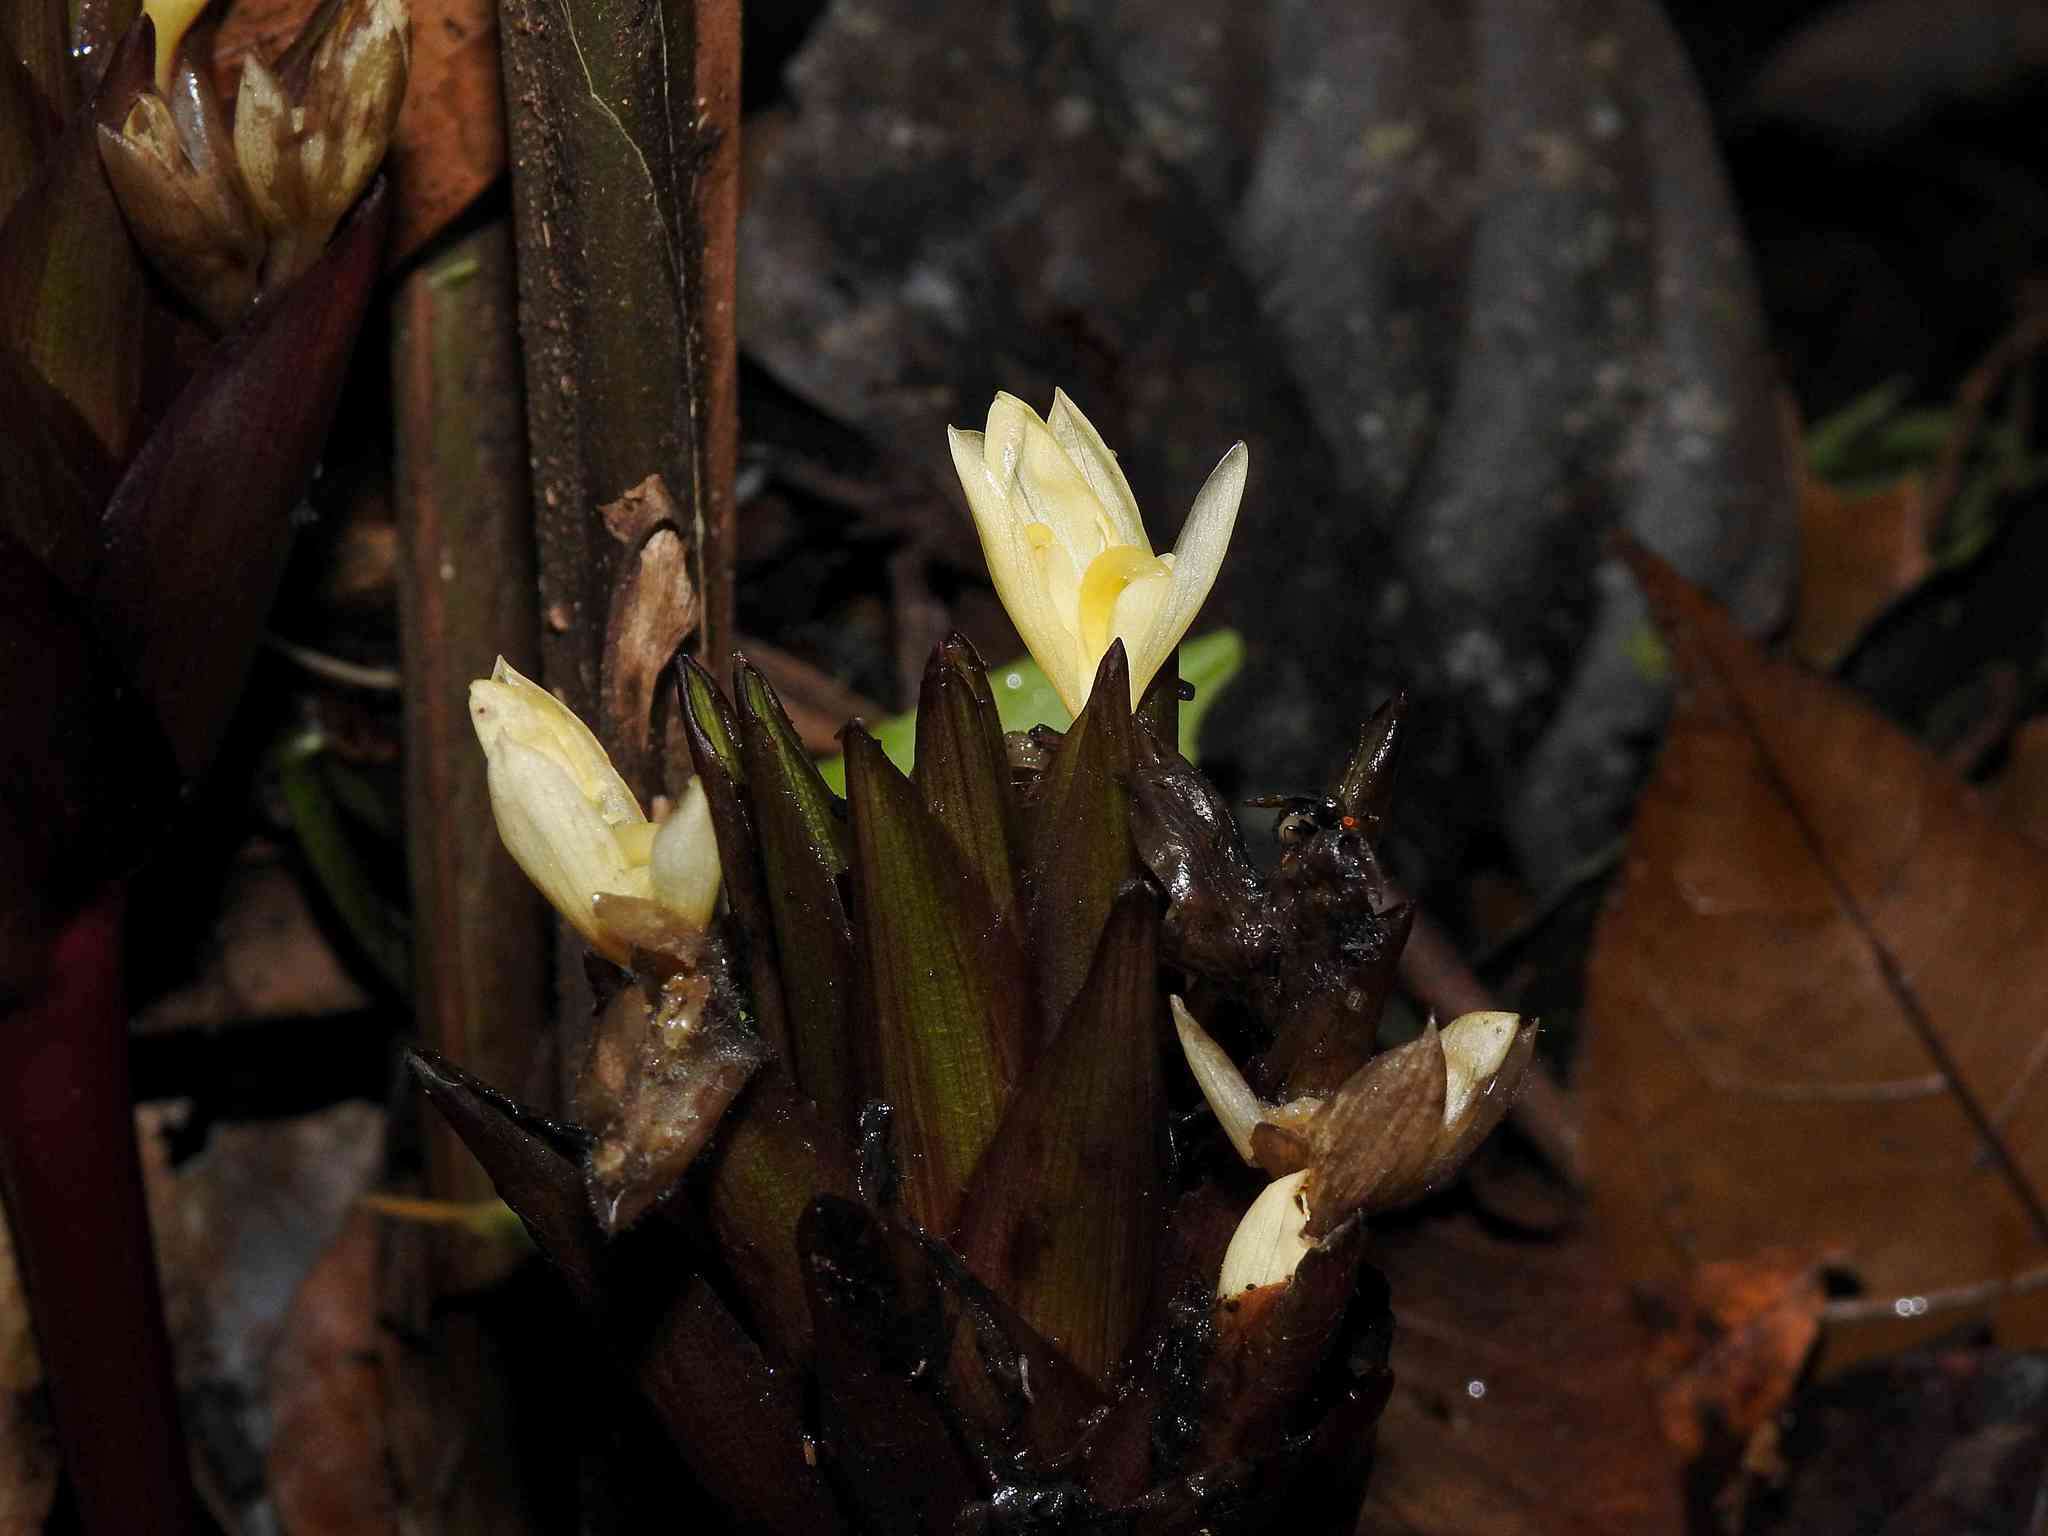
{"x":736,"y":1420}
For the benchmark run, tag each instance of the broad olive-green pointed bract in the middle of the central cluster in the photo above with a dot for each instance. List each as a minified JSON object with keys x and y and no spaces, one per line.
{"x":941,"y":1011}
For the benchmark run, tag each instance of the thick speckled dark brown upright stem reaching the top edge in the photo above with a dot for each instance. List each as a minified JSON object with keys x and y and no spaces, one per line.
{"x":626,"y":138}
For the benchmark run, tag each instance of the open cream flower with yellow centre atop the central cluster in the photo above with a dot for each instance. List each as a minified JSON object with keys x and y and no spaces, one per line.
{"x":1068,"y":550}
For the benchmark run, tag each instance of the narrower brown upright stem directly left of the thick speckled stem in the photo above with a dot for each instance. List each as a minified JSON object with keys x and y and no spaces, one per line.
{"x":466,"y":599}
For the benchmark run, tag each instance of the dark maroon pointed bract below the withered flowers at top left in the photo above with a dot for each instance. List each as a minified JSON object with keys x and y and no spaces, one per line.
{"x":198,"y":531}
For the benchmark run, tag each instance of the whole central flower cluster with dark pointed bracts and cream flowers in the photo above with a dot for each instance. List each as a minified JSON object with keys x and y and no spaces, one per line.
{"x":912,"y":1084}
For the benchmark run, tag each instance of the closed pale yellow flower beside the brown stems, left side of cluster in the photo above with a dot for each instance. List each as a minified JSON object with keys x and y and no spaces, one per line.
{"x":572,"y":824}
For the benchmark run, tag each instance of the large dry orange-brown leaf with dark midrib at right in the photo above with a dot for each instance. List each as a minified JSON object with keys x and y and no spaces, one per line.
{"x":1816,"y":1000}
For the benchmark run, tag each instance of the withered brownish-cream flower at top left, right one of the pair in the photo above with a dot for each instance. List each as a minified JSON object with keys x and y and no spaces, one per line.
{"x":312,"y":134}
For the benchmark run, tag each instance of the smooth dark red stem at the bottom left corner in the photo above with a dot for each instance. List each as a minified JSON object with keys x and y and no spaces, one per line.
{"x":75,"y":1197}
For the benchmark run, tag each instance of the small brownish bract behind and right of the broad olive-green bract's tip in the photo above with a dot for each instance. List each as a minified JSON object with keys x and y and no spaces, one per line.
{"x":964,"y":771}
